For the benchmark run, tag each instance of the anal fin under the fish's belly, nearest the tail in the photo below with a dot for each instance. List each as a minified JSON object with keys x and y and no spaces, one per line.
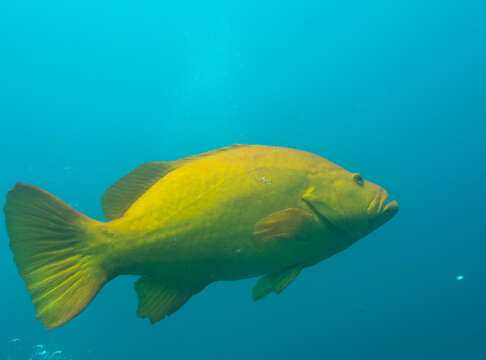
{"x":156,"y":300}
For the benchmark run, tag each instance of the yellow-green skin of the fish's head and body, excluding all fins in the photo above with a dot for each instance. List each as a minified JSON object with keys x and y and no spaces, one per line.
{"x":196,"y":225}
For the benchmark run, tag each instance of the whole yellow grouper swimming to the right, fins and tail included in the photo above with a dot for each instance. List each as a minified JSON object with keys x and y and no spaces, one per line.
{"x":228,"y":214}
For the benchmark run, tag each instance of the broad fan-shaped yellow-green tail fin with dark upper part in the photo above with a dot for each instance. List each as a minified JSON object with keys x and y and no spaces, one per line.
{"x":52,"y":246}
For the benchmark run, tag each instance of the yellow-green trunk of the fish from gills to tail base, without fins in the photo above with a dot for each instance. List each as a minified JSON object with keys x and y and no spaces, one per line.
{"x":202,"y":222}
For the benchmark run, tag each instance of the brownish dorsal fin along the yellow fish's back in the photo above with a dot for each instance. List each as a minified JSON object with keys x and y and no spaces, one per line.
{"x":122,"y":194}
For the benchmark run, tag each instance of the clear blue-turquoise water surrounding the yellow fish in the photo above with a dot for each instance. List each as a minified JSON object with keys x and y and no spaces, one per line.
{"x":393,"y":90}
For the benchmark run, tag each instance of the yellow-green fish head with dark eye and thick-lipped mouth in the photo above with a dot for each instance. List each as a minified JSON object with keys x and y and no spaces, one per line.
{"x":348,"y":202}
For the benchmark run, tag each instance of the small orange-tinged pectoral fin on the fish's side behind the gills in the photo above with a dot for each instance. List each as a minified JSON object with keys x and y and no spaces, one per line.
{"x":284,"y":224}
